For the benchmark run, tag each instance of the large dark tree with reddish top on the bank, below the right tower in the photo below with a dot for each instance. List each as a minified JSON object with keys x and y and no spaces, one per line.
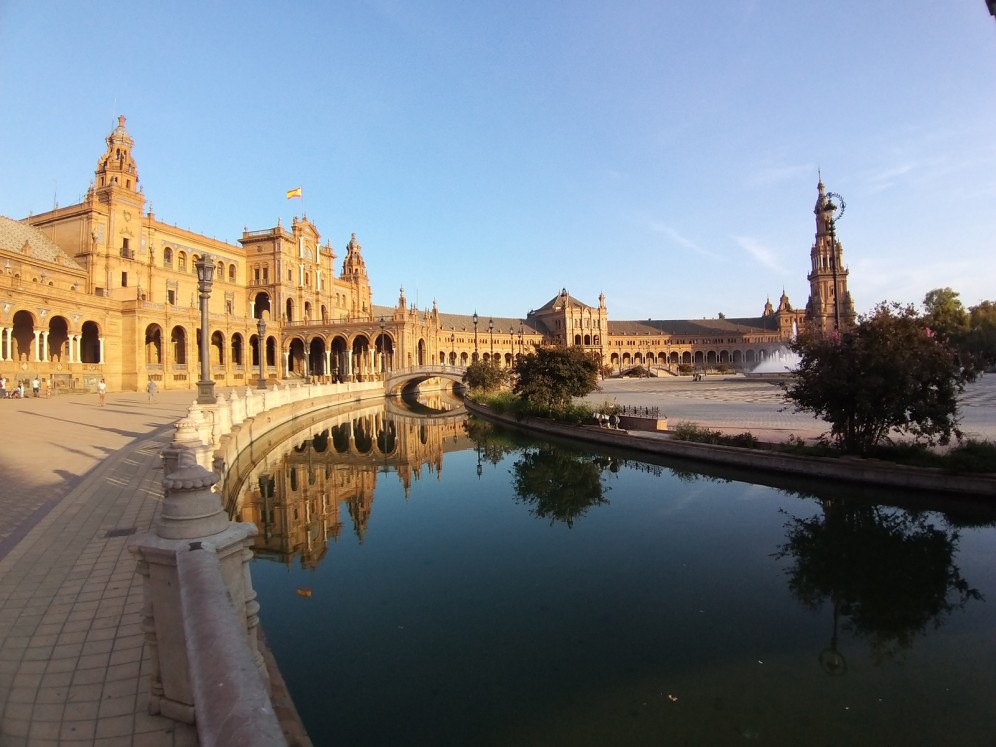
{"x":891,"y":372}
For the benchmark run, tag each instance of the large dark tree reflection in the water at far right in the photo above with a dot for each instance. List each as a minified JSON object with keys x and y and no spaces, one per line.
{"x":887,"y":572}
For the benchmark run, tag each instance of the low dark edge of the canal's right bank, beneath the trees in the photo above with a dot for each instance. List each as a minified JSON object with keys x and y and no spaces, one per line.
{"x":845,"y":469}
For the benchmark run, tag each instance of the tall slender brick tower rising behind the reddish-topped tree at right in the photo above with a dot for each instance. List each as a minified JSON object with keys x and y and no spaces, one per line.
{"x":830,"y":306}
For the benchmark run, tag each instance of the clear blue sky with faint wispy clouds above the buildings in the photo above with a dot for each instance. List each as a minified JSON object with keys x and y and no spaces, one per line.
{"x":489,"y":153}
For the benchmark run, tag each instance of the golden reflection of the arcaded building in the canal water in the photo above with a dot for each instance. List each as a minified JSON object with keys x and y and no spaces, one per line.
{"x":301,"y":497}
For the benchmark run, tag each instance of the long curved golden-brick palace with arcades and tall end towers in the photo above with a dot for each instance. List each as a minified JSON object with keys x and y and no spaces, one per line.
{"x":103,"y":288}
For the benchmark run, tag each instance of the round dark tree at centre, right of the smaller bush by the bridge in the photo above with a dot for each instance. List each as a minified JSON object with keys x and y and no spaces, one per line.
{"x":552,"y":376}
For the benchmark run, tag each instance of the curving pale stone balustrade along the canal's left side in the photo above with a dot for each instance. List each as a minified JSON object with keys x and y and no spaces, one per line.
{"x":201,"y":614}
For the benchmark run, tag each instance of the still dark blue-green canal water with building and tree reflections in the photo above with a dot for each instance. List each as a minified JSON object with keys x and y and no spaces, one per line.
{"x":427,"y":583}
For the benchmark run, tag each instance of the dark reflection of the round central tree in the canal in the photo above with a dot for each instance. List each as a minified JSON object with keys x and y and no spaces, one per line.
{"x":560,"y":485}
